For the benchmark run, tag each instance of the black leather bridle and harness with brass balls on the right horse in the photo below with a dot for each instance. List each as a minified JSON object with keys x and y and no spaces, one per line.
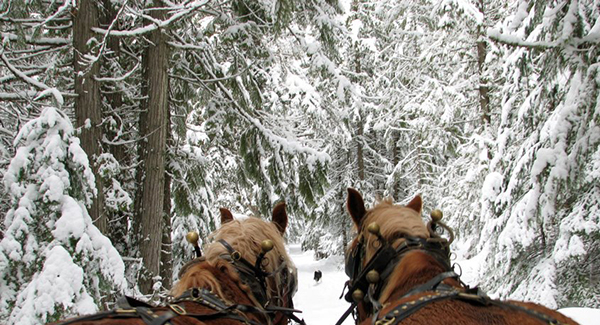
{"x":366,"y":282}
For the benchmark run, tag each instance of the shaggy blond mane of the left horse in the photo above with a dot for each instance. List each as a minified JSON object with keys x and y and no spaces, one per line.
{"x":245,"y":236}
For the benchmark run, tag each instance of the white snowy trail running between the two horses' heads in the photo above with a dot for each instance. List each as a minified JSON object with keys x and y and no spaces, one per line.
{"x":319,"y":302}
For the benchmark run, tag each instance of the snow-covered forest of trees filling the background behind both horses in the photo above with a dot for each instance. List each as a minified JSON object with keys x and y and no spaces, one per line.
{"x":124,"y":124}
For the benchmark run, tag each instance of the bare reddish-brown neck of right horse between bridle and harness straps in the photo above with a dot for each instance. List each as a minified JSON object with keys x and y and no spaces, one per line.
{"x":414,"y":269}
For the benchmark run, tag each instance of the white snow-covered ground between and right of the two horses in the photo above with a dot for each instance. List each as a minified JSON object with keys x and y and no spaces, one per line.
{"x":320,"y":301}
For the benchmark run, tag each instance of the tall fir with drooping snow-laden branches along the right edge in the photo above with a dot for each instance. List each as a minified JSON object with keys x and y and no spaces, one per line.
{"x":537,"y":216}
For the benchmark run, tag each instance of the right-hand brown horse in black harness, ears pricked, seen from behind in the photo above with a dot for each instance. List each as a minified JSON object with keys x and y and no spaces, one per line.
{"x":400,"y":272}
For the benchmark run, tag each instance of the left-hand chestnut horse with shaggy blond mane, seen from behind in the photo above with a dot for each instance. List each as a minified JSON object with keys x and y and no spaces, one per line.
{"x":244,"y":277}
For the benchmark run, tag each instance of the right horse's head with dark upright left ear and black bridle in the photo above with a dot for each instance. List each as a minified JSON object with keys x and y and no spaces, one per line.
{"x":393,"y":249}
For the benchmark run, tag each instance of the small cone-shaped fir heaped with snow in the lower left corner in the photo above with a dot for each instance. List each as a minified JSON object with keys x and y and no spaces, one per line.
{"x":53,"y":261}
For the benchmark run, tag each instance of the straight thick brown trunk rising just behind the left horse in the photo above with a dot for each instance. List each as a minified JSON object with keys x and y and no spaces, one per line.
{"x":153,"y":128}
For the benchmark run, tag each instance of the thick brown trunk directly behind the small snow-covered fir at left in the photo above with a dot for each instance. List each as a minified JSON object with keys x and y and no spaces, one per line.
{"x":87,"y":103}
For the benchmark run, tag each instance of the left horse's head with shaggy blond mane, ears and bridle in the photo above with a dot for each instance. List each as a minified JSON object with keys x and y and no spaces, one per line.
{"x":235,"y":248}
